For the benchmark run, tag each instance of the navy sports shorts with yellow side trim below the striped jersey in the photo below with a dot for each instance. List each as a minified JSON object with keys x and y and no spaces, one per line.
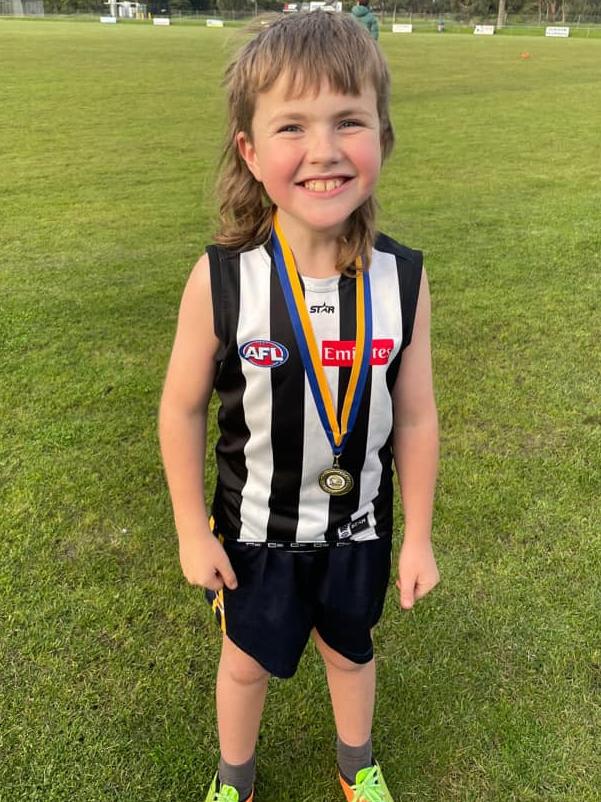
{"x":282,"y":595}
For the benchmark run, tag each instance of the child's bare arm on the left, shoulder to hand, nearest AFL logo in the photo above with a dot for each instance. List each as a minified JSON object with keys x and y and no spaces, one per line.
{"x":182,"y":432}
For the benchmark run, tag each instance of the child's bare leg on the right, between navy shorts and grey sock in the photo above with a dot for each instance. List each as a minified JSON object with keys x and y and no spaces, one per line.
{"x":352,"y":691}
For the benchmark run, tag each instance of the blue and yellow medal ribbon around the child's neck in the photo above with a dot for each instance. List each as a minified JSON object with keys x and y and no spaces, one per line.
{"x":305,"y":338}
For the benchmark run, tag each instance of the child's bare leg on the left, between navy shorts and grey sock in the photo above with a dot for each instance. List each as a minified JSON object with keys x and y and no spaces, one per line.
{"x":241,"y":690}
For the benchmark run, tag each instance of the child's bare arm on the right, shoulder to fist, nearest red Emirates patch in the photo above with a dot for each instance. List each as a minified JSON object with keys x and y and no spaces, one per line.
{"x":415,"y":444}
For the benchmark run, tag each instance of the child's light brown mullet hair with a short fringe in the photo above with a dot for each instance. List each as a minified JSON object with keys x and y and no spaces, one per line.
{"x":308,"y":47}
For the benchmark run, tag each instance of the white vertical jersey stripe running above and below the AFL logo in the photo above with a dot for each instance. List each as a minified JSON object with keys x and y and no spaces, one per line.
{"x":253,"y":323}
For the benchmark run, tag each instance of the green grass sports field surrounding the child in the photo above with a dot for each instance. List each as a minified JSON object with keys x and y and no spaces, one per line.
{"x":490,"y":689}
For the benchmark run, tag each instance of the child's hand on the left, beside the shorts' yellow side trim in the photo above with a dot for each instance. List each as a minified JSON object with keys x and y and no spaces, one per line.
{"x":204,"y":562}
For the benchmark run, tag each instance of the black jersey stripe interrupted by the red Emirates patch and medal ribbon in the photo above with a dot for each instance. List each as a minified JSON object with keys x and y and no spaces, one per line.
{"x":353,"y":456}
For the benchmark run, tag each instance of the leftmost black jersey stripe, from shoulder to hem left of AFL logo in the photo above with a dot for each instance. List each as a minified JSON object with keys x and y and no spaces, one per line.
{"x":230,"y":385}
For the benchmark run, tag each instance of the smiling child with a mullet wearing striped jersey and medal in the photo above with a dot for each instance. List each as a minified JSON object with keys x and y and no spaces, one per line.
{"x":314,"y":332}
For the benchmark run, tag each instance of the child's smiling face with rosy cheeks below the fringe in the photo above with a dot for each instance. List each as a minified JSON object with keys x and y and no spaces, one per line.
{"x":318,"y":156}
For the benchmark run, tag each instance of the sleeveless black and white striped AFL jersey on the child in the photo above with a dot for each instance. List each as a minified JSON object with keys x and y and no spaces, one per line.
{"x":272,"y":446}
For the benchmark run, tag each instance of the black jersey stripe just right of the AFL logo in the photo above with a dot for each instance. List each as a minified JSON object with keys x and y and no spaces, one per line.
{"x":287,"y":422}
